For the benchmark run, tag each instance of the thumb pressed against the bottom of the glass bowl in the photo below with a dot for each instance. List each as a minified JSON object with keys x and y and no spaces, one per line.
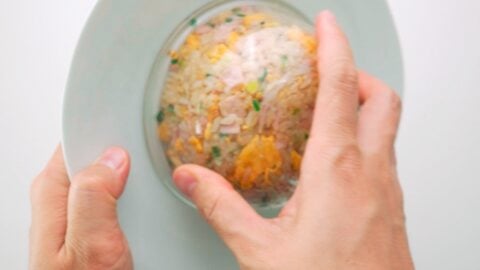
{"x":222,"y":207}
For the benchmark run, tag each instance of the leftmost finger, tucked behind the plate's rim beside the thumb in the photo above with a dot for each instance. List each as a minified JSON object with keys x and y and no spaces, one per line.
{"x":49,"y":194}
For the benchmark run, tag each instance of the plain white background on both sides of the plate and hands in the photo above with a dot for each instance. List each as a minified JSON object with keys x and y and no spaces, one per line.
{"x":439,"y":144}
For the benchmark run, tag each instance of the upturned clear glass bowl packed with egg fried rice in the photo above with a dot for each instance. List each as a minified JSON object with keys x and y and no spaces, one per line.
{"x":238,"y":95}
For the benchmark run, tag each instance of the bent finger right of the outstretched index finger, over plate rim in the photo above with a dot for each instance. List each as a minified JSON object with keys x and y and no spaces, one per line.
{"x":379,"y":115}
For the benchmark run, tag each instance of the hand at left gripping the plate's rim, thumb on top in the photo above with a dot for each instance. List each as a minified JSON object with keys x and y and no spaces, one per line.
{"x":74,"y":224}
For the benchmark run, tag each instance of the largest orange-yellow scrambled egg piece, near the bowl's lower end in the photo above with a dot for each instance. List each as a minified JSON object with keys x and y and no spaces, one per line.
{"x":259,"y":158}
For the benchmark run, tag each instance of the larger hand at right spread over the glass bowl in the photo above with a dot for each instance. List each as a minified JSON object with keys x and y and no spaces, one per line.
{"x":347,"y":211}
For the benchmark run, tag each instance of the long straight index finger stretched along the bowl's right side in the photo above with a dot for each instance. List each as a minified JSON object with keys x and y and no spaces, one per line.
{"x":336,"y":107}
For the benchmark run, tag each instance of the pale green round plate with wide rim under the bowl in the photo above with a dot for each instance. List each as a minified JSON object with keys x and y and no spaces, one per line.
{"x":105,"y":103}
